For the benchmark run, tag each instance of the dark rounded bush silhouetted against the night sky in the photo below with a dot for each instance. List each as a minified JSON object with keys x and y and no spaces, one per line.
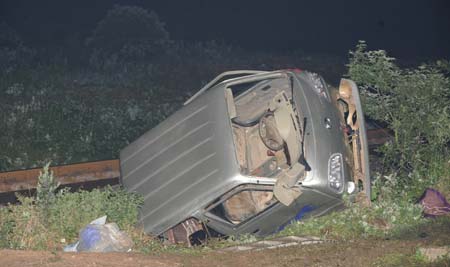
{"x":127,"y":33}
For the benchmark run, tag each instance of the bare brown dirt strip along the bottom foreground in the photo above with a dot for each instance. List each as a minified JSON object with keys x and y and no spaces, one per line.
{"x":357,"y":253}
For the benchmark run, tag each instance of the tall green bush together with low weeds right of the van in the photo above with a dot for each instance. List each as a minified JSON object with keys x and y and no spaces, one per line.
{"x":415,"y":104}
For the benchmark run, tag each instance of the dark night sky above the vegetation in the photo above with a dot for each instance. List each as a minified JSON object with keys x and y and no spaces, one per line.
{"x":415,"y":28}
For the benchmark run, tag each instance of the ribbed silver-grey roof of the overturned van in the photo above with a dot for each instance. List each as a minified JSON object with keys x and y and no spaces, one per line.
{"x":183,"y":163}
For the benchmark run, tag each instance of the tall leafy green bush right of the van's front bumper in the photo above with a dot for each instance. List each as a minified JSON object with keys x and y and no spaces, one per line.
{"x":415,"y":104}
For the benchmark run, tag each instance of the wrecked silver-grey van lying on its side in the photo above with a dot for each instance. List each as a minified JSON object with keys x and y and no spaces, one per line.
{"x":249,"y":153}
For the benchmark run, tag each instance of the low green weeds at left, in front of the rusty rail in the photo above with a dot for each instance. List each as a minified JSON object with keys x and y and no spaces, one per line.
{"x":54,"y":219}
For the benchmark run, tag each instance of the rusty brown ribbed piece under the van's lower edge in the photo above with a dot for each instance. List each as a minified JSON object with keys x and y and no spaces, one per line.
{"x":181,"y":233}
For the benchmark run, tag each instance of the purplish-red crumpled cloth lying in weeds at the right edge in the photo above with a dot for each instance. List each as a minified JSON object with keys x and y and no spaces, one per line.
{"x":434,"y":203}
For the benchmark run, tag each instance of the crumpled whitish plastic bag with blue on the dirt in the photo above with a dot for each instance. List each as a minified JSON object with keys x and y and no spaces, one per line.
{"x":99,"y":236}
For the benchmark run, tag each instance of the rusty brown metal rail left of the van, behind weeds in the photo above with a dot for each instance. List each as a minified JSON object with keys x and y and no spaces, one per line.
{"x":68,"y":174}
